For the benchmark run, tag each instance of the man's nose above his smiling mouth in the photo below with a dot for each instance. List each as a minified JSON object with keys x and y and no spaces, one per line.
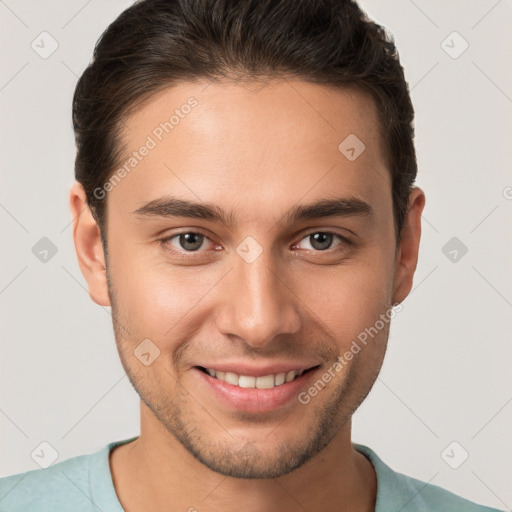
{"x":259,"y":304}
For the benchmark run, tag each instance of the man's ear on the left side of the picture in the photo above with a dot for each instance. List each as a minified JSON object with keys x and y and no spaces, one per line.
{"x":89,"y":249}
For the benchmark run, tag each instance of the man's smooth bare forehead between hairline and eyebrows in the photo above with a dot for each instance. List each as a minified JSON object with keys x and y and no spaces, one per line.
{"x":253,"y":146}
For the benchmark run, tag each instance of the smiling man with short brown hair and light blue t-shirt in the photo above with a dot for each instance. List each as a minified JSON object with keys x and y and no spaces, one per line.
{"x":245,"y":204}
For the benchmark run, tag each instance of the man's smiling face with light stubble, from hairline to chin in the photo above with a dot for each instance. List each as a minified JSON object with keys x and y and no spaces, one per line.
{"x":246,"y":243}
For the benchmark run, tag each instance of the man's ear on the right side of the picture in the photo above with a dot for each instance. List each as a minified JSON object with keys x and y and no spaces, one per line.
{"x":407,"y":254}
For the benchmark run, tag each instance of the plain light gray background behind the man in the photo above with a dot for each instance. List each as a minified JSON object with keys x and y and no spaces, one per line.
{"x":447,"y":376}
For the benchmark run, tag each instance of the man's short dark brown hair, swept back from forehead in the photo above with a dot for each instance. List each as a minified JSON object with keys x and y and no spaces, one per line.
{"x":156,"y":43}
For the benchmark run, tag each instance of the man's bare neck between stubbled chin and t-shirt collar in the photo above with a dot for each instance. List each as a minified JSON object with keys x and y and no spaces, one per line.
{"x":155,"y":472}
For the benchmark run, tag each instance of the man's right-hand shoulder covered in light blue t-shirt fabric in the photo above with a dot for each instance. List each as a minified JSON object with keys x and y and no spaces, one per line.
{"x":401,"y":492}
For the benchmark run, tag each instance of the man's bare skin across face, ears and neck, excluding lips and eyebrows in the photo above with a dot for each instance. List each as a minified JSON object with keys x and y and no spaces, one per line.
{"x":256,"y":151}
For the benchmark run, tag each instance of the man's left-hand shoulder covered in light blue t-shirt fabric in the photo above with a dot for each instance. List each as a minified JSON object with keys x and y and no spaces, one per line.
{"x":78,"y":483}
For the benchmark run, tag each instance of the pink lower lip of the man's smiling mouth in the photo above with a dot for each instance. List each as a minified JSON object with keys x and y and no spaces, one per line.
{"x":254,"y":400}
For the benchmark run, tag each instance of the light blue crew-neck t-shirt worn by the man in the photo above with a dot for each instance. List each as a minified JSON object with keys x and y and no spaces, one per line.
{"x":84,"y":483}
